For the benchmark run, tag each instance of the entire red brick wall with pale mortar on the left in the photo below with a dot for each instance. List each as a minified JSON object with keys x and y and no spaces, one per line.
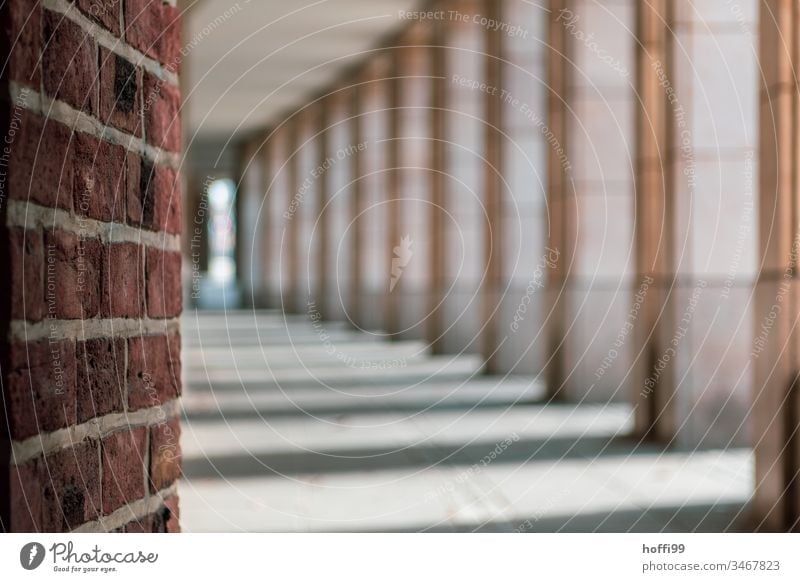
{"x":89,"y":230}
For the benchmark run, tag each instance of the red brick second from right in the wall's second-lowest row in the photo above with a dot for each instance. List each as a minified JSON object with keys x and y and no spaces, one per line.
{"x":123,"y":468}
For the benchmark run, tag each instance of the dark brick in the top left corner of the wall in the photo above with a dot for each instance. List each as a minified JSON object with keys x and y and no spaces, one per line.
{"x":23,"y":28}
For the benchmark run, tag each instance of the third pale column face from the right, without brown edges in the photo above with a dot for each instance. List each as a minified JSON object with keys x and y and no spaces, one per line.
{"x":526,"y":255}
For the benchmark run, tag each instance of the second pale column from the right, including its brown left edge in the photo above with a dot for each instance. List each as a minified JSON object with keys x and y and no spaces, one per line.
{"x":595,"y":212}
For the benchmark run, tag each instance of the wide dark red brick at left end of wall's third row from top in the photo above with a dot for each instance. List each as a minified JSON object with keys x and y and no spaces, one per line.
{"x":41,"y":162}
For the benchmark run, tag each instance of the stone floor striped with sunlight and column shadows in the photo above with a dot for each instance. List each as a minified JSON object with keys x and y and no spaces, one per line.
{"x":296,"y":426}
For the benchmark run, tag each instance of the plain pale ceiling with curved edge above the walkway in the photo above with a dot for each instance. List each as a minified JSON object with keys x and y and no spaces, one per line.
{"x":246,"y":61}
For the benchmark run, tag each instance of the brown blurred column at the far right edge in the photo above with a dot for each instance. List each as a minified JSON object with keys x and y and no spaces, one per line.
{"x":776,"y":407}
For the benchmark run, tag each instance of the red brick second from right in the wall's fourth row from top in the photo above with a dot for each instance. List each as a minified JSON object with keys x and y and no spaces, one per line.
{"x":123,"y":287}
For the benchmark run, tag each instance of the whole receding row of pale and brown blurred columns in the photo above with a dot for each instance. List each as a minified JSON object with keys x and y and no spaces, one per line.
{"x":393,"y":200}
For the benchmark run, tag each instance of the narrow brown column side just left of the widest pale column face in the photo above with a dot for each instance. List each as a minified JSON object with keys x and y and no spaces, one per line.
{"x":653,"y":401}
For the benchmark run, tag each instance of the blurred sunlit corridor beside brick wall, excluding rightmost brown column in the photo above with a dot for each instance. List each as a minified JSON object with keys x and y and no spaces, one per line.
{"x":472,"y":265}
